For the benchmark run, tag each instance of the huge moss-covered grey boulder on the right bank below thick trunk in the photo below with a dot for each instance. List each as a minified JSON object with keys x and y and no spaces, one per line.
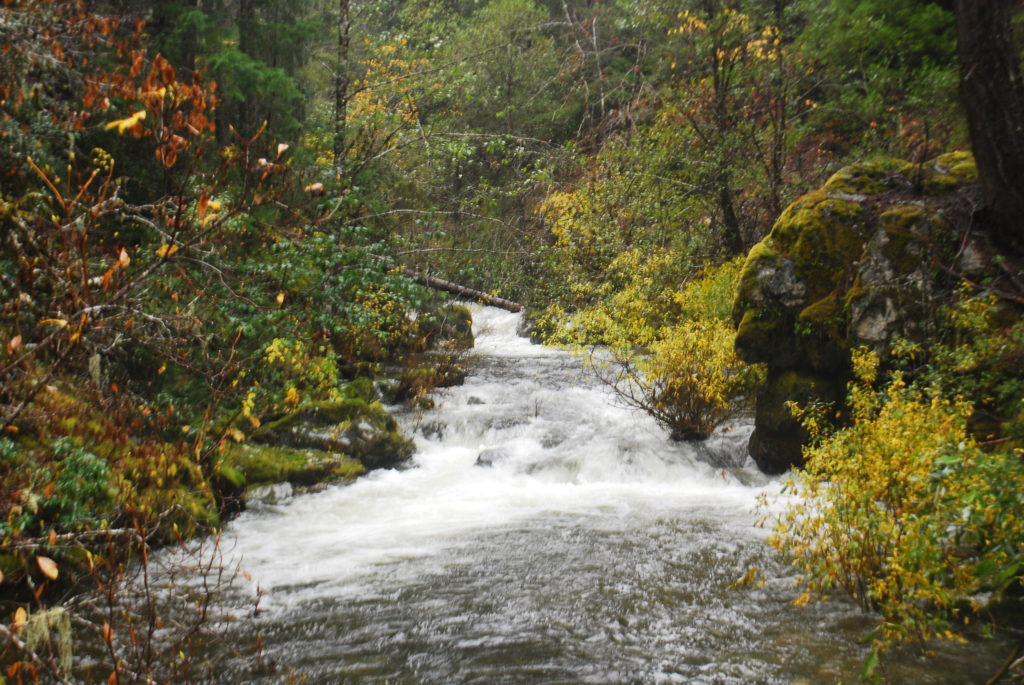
{"x":857,"y":263}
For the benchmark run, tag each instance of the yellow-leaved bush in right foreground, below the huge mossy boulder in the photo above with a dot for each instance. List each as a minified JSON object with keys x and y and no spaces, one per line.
{"x":904,"y":511}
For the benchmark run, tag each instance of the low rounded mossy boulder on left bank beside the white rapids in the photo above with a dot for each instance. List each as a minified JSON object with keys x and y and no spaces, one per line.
{"x":360,"y":431}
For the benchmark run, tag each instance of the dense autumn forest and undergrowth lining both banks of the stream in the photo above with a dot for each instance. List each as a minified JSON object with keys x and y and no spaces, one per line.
{"x":218,"y":212}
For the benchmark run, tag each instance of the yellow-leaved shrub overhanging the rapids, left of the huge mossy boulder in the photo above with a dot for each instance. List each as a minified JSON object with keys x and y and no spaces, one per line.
{"x":669,"y":351}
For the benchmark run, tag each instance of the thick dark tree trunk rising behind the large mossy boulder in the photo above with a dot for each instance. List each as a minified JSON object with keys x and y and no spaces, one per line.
{"x":993,"y":95}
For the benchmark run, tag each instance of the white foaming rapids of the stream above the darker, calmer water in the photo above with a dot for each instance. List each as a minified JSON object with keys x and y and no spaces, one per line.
{"x":557,"y":442}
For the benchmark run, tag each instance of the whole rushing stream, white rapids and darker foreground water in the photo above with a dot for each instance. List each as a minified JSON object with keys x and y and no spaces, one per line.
{"x":584,"y":548}
